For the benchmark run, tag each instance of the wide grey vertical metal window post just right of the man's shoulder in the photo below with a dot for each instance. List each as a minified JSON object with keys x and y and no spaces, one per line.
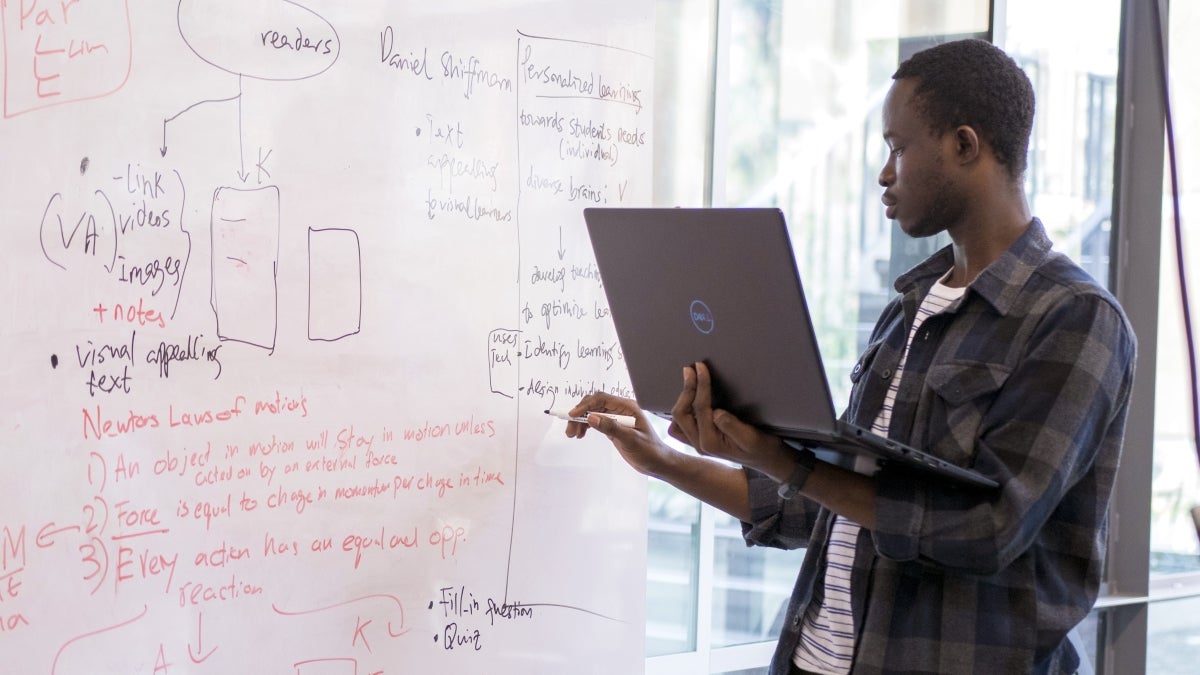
{"x":1137,"y":224}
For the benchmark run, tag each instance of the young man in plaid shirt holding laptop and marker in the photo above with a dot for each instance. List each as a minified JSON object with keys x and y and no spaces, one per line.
{"x":998,"y":355}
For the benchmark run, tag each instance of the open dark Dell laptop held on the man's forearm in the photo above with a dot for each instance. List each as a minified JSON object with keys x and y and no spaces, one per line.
{"x":722,"y":286}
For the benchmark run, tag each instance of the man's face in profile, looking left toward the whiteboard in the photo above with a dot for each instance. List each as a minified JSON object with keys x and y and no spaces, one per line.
{"x":919,"y":193}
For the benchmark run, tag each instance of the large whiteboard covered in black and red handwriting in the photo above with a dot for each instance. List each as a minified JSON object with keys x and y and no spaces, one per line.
{"x":287,"y":289}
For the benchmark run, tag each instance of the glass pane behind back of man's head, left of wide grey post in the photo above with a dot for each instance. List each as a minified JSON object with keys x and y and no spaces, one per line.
{"x":1070,"y":177}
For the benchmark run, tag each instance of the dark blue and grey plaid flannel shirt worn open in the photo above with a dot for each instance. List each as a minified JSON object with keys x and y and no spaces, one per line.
{"x":1025,"y":379}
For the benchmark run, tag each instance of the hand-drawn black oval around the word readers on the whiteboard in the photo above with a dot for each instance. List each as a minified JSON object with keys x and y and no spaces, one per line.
{"x":273,"y":40}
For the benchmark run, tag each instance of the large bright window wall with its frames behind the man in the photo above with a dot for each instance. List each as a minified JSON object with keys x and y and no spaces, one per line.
{"x":795,"y":123}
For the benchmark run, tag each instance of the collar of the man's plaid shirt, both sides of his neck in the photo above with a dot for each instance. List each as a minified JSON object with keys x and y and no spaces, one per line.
{"x":1000,"y":283}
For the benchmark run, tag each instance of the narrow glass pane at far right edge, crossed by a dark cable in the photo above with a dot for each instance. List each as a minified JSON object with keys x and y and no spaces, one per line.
{"x":1177,"y":483}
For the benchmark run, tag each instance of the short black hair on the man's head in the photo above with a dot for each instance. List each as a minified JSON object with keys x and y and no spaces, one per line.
{"x":974,"y":83}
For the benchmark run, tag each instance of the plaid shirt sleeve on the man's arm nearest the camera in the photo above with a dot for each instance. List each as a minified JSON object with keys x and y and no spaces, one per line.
{"x":1051,"y":438}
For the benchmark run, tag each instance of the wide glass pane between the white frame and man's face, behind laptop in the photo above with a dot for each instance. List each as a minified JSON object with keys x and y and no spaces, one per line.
{"x":807,"y":85}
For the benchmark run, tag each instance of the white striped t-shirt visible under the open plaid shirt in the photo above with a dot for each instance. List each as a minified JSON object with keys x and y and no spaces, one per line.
{"x":827,"y":635}
